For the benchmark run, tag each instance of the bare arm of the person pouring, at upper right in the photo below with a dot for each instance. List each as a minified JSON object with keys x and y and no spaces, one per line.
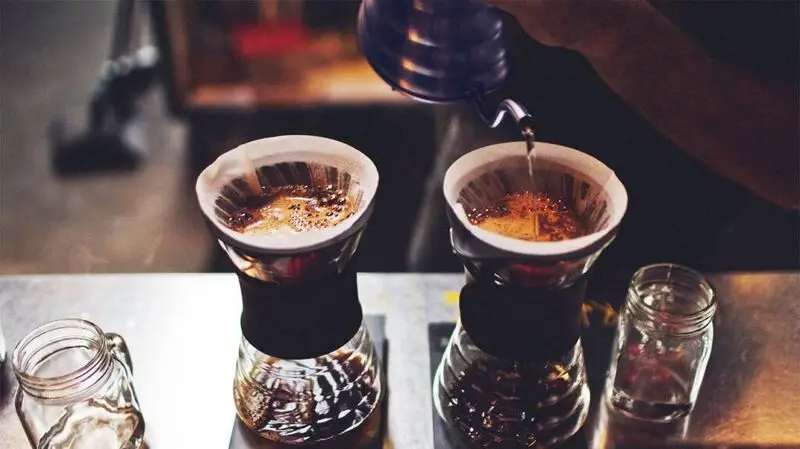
{"x":738,"y":124}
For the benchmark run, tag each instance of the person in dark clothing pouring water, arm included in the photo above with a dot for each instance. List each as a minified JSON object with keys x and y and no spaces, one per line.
{"x":693,"y":104}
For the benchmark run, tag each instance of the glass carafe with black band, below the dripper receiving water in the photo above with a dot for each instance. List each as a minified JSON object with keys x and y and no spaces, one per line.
{"x":506,"y":382}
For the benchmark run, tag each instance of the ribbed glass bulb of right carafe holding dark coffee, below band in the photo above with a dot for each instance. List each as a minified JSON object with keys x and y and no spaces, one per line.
{"x":503,"y":404}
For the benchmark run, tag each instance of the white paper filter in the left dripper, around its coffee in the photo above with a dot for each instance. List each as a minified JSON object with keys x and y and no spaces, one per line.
{"x":261,"y":165}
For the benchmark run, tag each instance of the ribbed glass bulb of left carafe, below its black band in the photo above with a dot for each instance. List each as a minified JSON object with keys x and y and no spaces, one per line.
{"x":295,"y":407}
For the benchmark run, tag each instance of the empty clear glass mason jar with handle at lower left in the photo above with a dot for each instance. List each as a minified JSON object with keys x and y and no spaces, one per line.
{"x":76,"y":388}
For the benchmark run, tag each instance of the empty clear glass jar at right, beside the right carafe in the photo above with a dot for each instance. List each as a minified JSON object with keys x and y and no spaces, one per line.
{"x":664,"y":337}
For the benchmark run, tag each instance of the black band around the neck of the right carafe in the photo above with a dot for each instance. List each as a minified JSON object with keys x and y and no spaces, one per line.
{"x":518,"y":323}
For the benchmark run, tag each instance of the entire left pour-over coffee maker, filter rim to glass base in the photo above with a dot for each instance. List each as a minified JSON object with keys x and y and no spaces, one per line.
{"x":307,"y":369}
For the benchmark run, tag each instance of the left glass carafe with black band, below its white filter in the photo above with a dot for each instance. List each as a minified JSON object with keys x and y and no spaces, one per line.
{"x":294,"y":384}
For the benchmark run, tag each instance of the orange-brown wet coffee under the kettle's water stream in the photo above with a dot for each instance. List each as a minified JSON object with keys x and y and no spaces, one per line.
{"x":530,"y":216}
